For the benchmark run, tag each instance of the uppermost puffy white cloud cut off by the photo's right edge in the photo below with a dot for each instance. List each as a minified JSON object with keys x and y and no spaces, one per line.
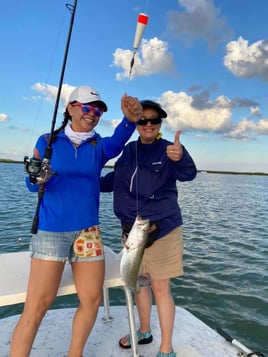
{"x":247,"y":61}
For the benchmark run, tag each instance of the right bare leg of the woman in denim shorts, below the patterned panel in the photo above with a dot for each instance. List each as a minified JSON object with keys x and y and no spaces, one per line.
{"x":88,"y":277}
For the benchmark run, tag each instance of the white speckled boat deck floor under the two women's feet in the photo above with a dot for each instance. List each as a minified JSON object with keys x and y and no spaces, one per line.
{"x":192,"y":338}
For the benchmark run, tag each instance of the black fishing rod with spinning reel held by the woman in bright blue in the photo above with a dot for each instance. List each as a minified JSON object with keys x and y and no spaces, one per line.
{"x":39,"y":171}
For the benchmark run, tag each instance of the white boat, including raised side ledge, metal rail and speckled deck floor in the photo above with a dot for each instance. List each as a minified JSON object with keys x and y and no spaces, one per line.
{"x":192,"y":338}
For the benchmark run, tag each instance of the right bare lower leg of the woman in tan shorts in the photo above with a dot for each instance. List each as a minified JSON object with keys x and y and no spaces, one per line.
{"x":166,"y":312}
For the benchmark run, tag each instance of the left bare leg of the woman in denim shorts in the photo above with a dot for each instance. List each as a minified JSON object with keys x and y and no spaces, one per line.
{"x":43,"y":285}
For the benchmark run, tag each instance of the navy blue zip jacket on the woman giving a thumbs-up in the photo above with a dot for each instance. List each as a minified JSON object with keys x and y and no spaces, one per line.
{"x":144,"y":183}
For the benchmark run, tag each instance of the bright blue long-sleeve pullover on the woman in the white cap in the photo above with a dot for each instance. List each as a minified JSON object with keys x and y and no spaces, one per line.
{"x":71,"y":198}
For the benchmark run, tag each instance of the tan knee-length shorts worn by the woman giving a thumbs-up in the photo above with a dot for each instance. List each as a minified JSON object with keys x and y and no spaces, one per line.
{"x":163,"y":260}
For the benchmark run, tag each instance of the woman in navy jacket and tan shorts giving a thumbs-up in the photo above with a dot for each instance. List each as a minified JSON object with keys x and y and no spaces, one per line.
{"x":144,"y":183}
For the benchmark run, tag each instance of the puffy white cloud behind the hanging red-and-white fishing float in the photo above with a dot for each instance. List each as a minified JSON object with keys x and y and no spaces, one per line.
{"x":152,"y":58}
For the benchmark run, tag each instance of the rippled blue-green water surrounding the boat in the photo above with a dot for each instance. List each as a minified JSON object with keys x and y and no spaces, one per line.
{"x":226,"y":248}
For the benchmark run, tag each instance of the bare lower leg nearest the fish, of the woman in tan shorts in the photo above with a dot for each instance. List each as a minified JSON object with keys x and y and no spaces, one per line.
{"x":144,"y":305}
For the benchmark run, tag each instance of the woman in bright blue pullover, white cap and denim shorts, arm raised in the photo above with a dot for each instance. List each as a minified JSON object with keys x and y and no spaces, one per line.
{"x":68,"y":218}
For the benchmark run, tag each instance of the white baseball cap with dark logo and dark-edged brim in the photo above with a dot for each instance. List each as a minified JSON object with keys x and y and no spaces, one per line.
{"x":87,"y":95}
